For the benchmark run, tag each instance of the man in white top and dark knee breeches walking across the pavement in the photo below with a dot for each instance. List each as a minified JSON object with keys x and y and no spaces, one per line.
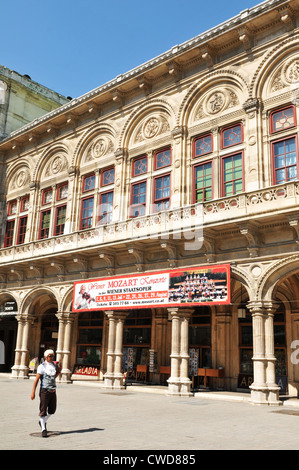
{"x":46,"y":373}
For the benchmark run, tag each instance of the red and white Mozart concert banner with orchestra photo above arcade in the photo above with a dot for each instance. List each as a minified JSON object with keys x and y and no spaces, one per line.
{"x":185,"y":286}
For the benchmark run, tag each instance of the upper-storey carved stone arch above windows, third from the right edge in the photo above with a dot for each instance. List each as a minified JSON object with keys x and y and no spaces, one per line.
{"x":139,"y":117}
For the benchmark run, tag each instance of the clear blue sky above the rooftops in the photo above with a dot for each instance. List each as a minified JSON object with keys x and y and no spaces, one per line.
{"x":74,"y":46}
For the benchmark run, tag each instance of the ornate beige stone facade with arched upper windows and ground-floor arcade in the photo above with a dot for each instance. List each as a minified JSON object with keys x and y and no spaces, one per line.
{"x":189,"y":161}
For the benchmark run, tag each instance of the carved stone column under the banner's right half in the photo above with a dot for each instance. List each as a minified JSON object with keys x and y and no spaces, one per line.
{"x":179,"y":382}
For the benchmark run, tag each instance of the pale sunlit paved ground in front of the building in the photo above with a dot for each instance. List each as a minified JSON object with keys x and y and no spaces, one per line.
{"x":91,"y":418}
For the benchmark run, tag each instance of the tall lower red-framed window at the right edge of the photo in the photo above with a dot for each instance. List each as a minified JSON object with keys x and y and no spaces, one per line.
{"x":284,"y":154}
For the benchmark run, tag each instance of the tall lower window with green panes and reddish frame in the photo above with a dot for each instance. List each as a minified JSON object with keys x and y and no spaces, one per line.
{"x":232,"y":174}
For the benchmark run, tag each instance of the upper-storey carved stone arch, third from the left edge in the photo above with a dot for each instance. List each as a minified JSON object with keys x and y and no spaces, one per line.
{"x":89,"y":140}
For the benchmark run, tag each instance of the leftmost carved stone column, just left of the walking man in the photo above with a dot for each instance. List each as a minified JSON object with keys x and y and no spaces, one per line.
{"x":21,"y":366}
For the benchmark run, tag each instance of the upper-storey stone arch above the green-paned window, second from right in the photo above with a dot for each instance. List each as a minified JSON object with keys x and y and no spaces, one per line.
{"x":228,"y":78}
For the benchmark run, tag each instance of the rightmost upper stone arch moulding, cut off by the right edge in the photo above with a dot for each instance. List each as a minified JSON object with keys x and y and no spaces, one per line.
{"x":269,"y":65}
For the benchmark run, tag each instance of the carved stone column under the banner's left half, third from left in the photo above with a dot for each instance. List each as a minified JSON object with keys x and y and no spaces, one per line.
{"x":114,"y":377}
